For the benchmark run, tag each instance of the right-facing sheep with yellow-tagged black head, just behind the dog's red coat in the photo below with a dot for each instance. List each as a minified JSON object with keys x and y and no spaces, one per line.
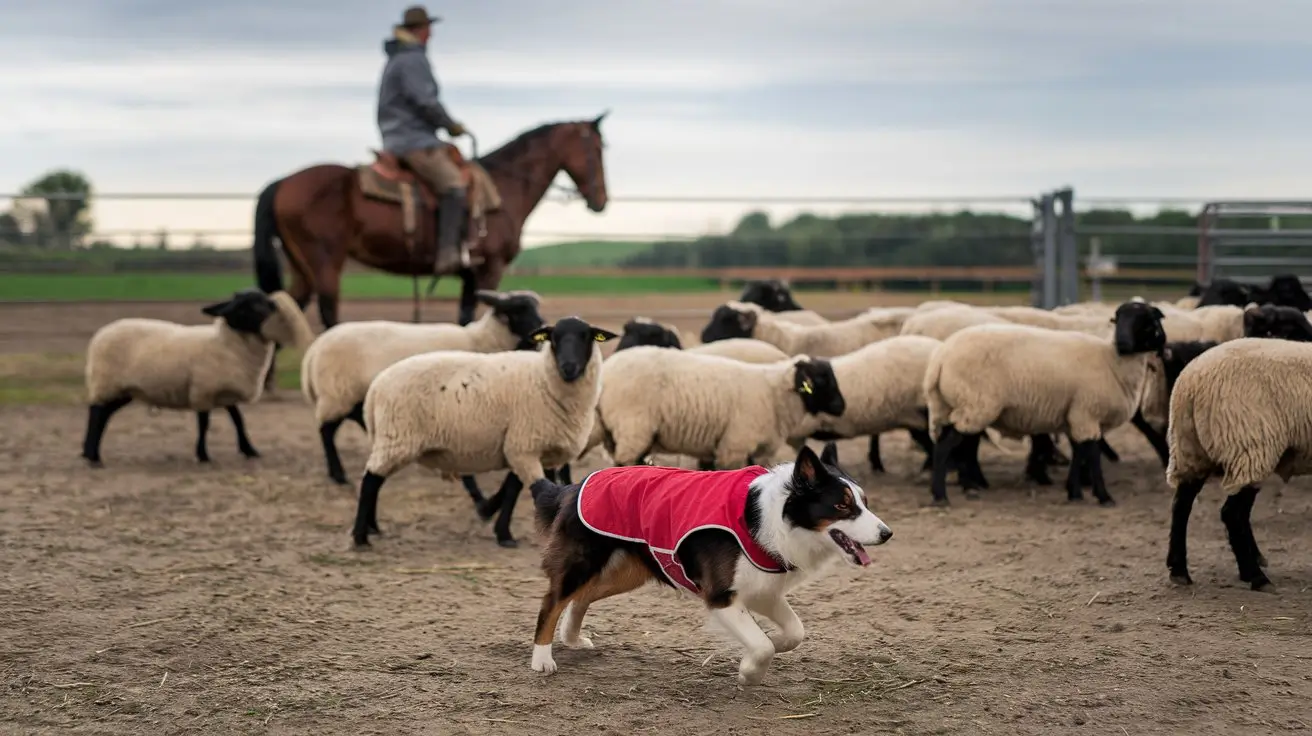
{"x":717,"y":410}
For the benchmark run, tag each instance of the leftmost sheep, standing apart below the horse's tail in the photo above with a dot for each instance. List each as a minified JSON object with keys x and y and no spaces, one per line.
{"x":197,"y":368}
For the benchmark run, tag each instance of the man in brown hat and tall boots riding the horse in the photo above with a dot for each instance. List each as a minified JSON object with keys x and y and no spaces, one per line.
{"x":410,"y":115}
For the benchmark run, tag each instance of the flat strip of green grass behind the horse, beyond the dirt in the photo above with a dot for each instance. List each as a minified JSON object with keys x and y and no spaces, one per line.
{"x":178,"y":287}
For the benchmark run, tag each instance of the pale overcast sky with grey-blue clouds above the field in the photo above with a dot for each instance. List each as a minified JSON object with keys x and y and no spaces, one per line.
{"x":724,"y":98}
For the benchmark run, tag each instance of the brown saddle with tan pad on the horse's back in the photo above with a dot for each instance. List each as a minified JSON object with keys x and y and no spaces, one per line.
{"x":388,"y":179}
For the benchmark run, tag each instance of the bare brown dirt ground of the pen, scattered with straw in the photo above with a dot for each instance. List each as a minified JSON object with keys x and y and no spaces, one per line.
{"x":158,"y":596}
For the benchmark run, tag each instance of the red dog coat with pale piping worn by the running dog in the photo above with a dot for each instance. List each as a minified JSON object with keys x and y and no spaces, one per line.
{"x":661,"y":507}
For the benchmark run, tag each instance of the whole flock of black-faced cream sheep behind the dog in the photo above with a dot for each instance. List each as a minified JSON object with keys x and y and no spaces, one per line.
{"x":1218,"y":382}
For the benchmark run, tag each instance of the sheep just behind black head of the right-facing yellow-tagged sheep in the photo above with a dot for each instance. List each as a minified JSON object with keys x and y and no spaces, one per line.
{"x":882,"y":388}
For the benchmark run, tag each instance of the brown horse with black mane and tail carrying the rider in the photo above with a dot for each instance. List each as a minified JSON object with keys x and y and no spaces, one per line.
{"x":322,"y":217}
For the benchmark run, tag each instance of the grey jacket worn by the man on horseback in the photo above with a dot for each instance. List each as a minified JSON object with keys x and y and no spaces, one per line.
{"x":409,"y":108}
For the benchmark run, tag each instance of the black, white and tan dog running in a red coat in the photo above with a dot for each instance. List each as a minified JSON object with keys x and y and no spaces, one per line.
{"x":738,"y":540}
